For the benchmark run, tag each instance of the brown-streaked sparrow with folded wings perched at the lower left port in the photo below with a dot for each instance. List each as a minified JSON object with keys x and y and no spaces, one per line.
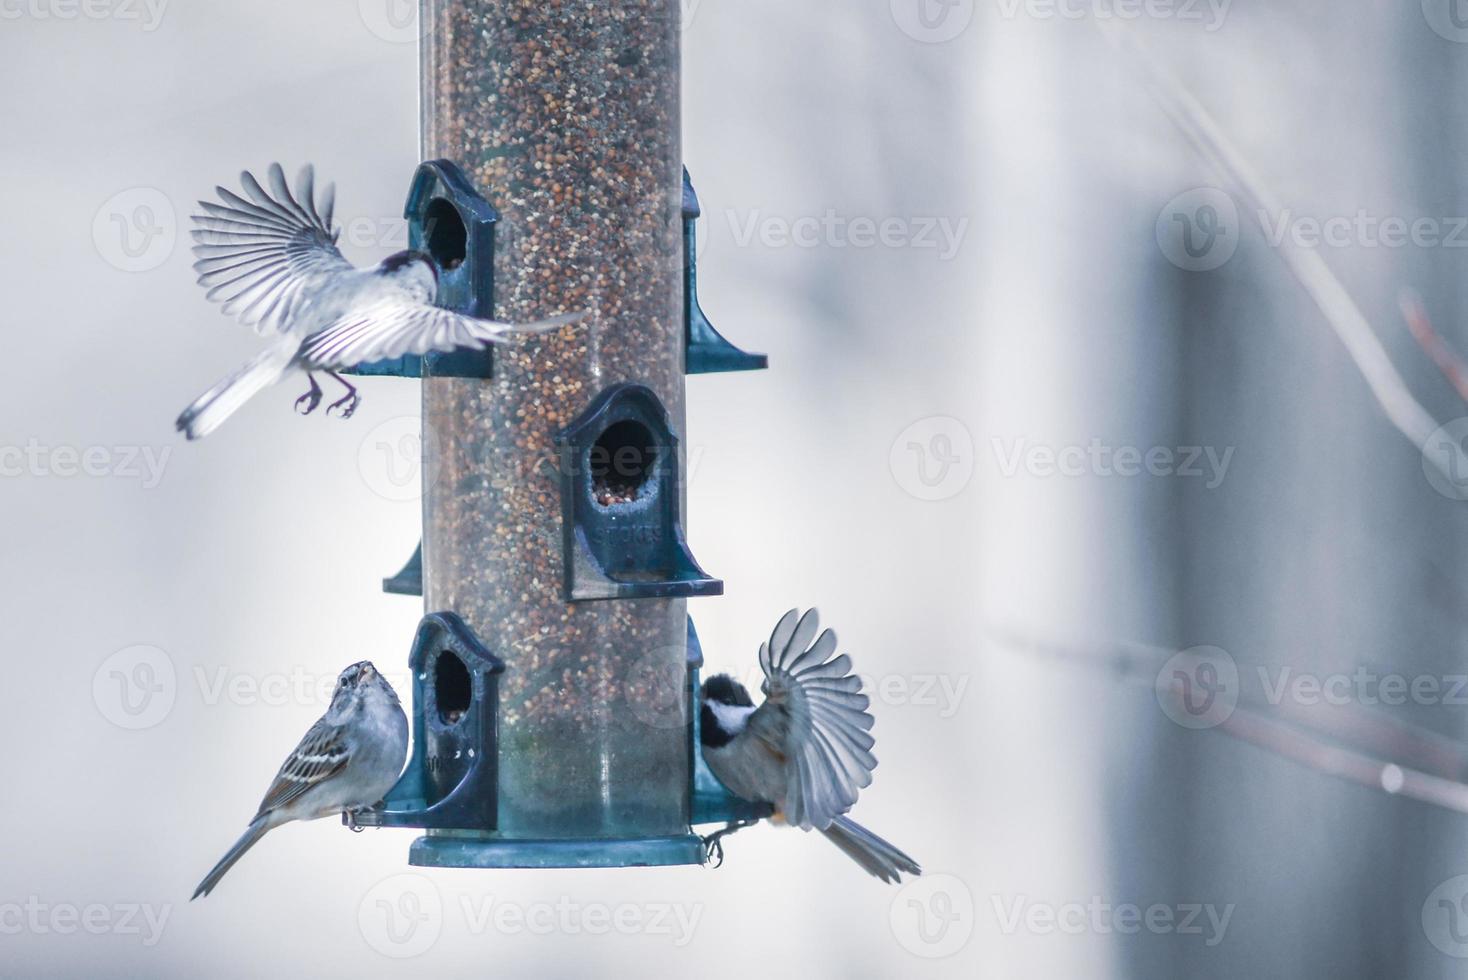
{"x":347,"y":764}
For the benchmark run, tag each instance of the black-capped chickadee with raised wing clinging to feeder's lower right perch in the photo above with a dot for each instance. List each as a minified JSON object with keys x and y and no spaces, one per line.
{"x":807,"y":750}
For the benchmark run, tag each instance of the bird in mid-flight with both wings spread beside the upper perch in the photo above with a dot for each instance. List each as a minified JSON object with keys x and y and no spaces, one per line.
{"x":272,"y":262}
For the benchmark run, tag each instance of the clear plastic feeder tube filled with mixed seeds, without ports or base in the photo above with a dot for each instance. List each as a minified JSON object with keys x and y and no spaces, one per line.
{"x":566,"y":115}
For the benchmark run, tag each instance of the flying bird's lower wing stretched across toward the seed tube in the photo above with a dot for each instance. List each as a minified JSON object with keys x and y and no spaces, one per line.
{"x":396,"y":328}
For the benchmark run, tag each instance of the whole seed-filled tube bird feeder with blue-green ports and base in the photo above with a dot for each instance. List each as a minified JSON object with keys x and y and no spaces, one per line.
{"x":556,"y":668}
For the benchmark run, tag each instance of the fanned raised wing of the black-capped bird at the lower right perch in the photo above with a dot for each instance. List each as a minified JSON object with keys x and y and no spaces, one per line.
{"x":815,"y":717}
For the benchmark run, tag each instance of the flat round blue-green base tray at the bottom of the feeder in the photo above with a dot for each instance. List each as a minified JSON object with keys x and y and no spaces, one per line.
{"x":500,"y":853}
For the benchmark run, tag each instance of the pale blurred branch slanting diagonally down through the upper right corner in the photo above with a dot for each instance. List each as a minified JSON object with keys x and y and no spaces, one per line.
{"x":1341,"y":312}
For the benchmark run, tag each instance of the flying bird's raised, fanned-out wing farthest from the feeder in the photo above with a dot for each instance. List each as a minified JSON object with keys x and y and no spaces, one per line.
{"x":266,"y":256}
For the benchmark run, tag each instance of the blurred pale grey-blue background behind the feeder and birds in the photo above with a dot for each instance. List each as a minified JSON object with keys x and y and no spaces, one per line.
{"x":1042,"y":385}
